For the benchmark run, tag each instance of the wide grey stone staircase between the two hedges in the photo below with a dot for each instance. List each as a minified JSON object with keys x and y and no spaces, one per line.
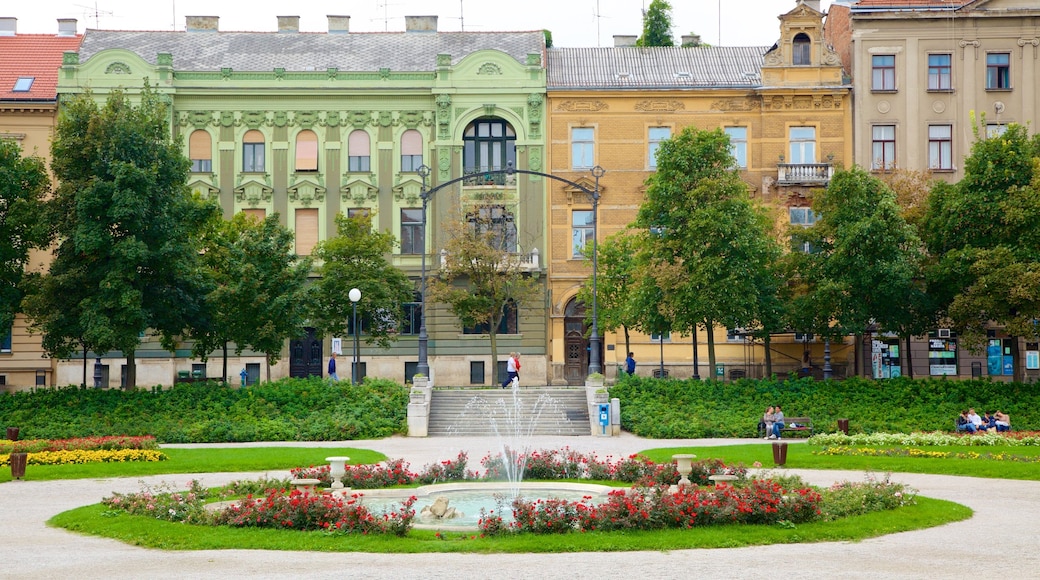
{"x":537,"y":411}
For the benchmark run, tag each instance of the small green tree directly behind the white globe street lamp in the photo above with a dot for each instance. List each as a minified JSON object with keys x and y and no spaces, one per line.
{"x":357,"y":258}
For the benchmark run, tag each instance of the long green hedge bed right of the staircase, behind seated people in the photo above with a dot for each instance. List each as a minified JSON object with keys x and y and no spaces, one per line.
{"x":670,"y":409}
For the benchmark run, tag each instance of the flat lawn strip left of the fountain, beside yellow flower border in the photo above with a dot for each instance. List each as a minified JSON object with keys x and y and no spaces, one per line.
{"x":201,"y":461}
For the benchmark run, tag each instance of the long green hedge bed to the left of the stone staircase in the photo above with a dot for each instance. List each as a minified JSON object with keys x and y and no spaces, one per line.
{"x":288,"y":410}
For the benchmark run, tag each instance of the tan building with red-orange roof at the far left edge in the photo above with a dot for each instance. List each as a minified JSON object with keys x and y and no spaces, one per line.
{"x":29,"y":114}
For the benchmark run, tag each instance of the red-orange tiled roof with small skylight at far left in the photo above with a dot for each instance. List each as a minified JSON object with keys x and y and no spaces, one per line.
{"x":33,"y":56}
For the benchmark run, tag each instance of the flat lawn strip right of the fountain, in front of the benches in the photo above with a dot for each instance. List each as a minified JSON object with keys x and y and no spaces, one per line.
{"x":800,"y":457}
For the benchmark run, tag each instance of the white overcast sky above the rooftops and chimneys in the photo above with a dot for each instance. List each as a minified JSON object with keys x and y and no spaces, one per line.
{"x":575,"y":23}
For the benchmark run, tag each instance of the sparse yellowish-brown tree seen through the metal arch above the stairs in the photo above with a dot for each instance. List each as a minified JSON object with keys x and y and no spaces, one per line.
{"x":483,"y":277}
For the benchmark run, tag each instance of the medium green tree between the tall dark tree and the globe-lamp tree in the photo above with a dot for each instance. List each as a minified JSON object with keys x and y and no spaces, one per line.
{"x":258,"y":294}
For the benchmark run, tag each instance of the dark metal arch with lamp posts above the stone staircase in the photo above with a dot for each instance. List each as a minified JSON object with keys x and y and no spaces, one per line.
{"x":597,"y":172}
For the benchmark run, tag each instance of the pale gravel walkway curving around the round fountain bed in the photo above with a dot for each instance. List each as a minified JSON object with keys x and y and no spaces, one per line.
{"x":1003,"y":538}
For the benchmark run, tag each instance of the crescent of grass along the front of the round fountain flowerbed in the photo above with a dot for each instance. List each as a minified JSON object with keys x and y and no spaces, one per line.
{"x":96,"y":520}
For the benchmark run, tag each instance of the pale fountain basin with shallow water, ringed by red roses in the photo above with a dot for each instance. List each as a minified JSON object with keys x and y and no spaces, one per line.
{"x":469,"y":498}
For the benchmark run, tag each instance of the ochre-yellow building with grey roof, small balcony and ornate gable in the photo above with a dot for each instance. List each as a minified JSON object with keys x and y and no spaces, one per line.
{"x":788,"y":113}
